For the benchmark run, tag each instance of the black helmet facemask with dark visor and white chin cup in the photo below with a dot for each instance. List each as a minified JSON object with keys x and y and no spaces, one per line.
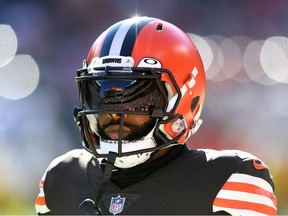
{"x":123,"y":91}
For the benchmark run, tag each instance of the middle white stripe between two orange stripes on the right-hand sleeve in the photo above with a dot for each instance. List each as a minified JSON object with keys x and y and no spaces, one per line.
{"x":247,"y":197}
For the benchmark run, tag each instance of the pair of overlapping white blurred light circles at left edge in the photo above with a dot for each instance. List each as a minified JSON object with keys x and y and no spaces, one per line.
{"x":19,"y":75}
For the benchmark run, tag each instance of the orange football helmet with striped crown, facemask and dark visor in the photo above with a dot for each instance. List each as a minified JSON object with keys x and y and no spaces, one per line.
{"x":143,"y":66}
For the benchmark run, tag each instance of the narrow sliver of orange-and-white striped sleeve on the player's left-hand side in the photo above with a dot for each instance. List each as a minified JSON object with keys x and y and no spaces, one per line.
{"x":40,"y":203}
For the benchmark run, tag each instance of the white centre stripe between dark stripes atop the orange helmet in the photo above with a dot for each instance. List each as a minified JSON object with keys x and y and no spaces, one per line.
{"x":116,"y":45}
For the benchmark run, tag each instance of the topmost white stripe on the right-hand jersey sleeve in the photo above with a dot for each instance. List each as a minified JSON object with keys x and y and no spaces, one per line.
{"x":244,"y":178}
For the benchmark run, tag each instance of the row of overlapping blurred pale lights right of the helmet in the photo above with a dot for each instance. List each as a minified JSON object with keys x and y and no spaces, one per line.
{"x":263,"y":62}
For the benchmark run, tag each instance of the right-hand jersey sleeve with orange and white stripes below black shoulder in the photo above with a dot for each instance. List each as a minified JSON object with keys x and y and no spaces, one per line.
{"x":248,"y":191}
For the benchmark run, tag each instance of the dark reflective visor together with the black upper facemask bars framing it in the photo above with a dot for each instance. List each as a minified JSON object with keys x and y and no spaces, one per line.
{"x":114,"y":89}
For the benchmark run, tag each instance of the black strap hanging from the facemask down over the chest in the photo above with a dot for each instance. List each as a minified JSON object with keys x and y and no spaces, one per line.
{"x":88,"y":206}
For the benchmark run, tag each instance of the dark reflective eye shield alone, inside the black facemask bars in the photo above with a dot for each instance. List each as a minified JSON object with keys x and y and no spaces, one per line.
{"x":121,"y":95}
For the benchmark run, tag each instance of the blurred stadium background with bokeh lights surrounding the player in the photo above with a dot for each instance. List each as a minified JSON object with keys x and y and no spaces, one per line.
{"x":244,"y":46}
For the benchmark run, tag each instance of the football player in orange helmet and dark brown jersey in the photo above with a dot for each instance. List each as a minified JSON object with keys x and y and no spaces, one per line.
{"x":141,"y":94}
